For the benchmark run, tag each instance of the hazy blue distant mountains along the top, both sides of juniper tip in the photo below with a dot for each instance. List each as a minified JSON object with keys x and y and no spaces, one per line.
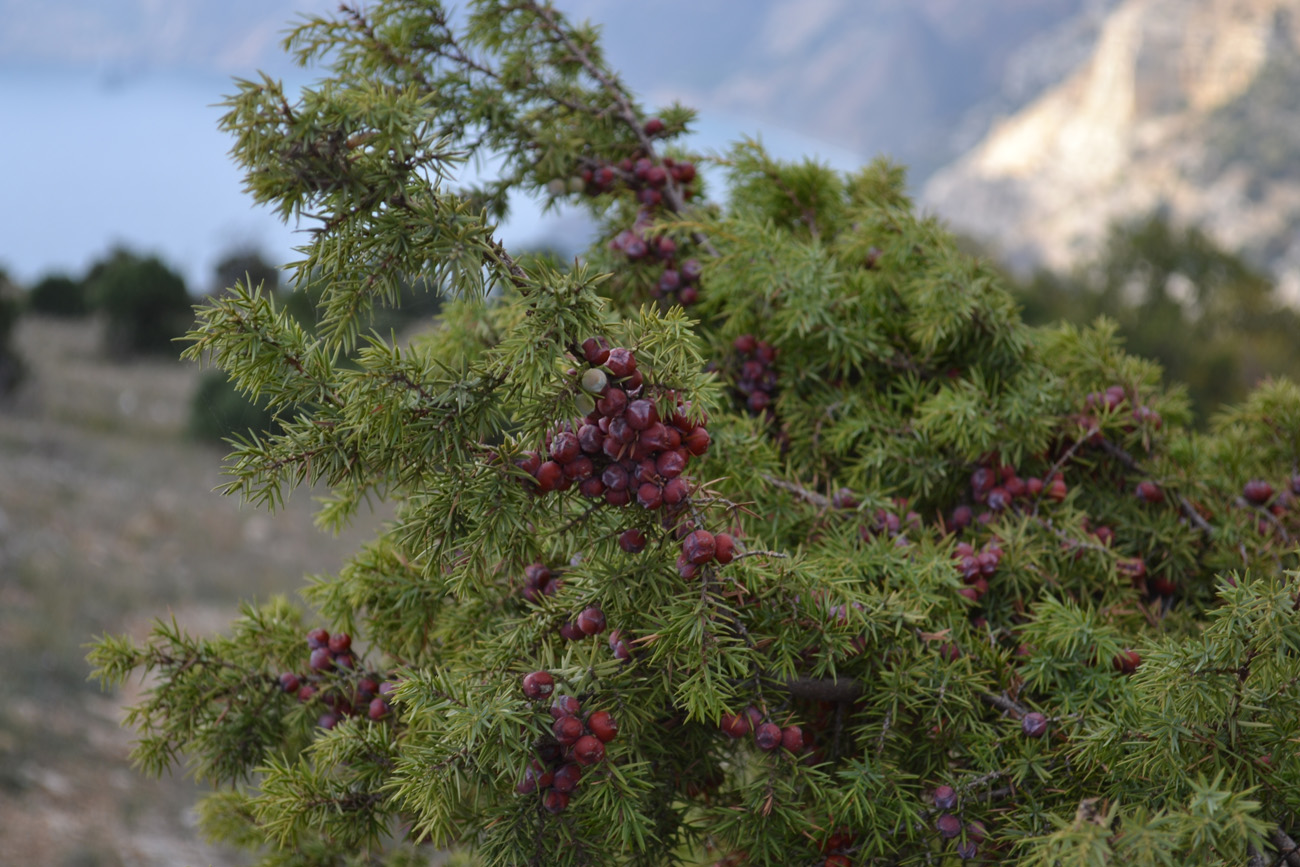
{"x":896,"y":77}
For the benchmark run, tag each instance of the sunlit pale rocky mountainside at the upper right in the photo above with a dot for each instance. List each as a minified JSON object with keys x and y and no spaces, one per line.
{"x":1191,"y":107}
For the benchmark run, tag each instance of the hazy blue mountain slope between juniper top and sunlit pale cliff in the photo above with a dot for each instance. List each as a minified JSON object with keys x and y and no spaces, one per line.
{"x":908,"y":79}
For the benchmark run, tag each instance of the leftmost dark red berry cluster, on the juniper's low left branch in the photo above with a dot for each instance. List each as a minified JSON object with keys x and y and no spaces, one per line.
{"x":336,"y":683}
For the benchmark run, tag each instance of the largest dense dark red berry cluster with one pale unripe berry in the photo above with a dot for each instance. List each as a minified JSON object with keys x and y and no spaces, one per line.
{"x":621,"y":450}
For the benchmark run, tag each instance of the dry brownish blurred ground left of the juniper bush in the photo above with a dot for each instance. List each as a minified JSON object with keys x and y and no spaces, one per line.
{"x":107,"y":522}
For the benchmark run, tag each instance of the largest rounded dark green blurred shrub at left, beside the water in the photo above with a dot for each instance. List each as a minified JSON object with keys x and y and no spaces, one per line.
{"x":146,"y":304}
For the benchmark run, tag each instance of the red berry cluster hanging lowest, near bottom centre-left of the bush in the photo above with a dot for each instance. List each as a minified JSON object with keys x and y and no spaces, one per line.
{"x":577,"y":744}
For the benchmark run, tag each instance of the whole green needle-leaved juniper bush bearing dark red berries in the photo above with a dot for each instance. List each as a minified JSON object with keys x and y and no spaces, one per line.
{"x":993,"y":596}
